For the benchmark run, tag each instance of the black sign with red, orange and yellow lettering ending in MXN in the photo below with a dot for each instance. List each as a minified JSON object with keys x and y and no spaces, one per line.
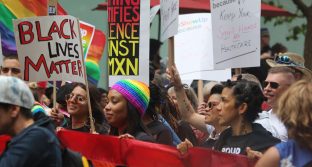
{"x":128,"y":40}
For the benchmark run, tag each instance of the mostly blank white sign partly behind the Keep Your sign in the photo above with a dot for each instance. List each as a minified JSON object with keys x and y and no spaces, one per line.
{"x":195,"y":32}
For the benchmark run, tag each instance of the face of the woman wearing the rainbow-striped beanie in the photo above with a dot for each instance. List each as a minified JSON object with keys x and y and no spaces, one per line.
{"x":116,"y":111}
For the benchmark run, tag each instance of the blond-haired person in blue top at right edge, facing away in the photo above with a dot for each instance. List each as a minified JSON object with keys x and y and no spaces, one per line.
{"x":294,"y":110}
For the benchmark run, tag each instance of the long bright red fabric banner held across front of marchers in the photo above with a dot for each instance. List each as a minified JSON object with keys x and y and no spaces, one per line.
{"x":136,"y":153}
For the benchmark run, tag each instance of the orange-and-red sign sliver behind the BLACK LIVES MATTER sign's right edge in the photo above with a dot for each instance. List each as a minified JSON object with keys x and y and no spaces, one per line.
{"x":87,"y":32}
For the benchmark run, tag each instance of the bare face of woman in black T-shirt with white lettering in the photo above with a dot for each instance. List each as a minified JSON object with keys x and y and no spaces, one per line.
{"x":229,"y":113}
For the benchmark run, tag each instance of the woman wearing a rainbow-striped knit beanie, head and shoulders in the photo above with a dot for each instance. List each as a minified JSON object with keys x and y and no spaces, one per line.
{"x":127,"y":103}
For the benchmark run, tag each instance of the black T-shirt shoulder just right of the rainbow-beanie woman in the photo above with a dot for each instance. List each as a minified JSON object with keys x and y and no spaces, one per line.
{"x":160,"y":132}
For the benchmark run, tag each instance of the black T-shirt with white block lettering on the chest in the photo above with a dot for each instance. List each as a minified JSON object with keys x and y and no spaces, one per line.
{"x":259,"y":140}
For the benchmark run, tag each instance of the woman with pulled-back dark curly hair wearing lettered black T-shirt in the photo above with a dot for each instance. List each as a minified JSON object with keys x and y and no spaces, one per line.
{"x":240,"y":105}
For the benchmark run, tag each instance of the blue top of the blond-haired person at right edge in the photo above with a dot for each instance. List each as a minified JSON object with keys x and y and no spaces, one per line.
{"x":291,"y":154}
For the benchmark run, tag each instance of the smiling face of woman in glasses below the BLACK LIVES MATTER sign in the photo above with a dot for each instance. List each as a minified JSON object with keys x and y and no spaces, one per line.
{"x":77,"y":104}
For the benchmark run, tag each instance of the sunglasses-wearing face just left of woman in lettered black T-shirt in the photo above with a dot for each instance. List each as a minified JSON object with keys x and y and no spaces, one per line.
{"x":212,"y":111}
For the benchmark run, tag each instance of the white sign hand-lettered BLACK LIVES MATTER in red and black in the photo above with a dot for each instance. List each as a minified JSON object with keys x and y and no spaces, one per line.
{"x":49,"y":48}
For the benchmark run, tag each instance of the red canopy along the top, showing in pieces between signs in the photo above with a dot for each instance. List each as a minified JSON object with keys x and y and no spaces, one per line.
{"x":191,"y":6}
